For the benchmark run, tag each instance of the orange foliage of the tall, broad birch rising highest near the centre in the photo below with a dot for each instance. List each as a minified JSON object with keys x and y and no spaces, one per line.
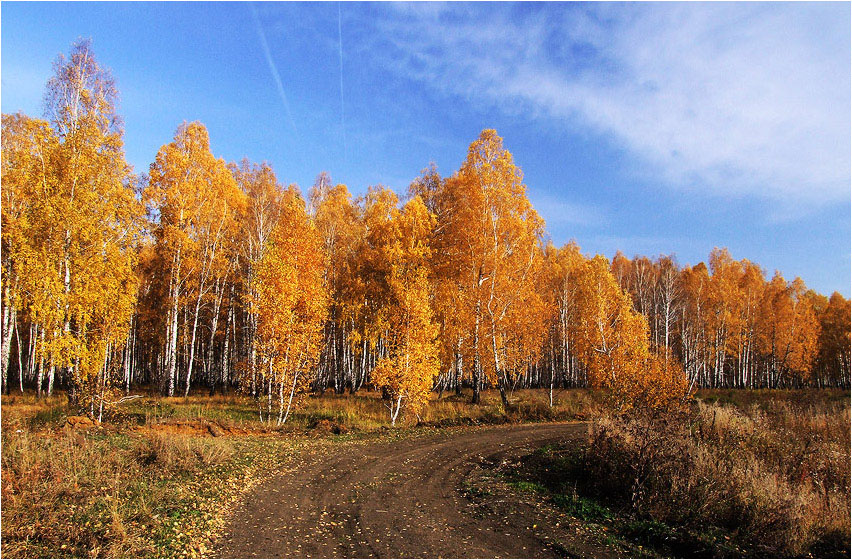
{"x":488,"y":260}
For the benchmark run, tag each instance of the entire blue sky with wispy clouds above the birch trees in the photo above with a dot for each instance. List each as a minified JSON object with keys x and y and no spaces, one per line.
{"x":650,"y":128}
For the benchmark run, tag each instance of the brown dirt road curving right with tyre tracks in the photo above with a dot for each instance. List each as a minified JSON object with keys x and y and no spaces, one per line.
{"x":392,"y":499}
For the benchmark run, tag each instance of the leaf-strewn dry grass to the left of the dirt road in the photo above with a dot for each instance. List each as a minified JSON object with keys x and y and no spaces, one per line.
{"x":118,"y":493}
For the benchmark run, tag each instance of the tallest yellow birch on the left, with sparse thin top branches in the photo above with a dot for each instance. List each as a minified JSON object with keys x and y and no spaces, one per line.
{"x":89,"y":225}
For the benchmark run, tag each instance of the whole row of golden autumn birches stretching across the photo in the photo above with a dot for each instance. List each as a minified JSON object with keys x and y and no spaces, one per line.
{"x":208,"y":274}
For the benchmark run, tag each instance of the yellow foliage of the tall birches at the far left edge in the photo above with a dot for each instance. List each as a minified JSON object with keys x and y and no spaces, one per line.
{"x":71,"y":222}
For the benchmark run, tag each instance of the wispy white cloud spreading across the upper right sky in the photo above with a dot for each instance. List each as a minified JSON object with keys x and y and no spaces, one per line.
{"x":732,"y":99}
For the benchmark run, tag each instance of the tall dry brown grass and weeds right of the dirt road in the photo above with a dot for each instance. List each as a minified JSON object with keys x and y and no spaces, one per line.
{"x":772,"y":476}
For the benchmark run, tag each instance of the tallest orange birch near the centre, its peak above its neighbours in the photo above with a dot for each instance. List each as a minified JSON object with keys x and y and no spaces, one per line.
{"x":493,"y":239}
